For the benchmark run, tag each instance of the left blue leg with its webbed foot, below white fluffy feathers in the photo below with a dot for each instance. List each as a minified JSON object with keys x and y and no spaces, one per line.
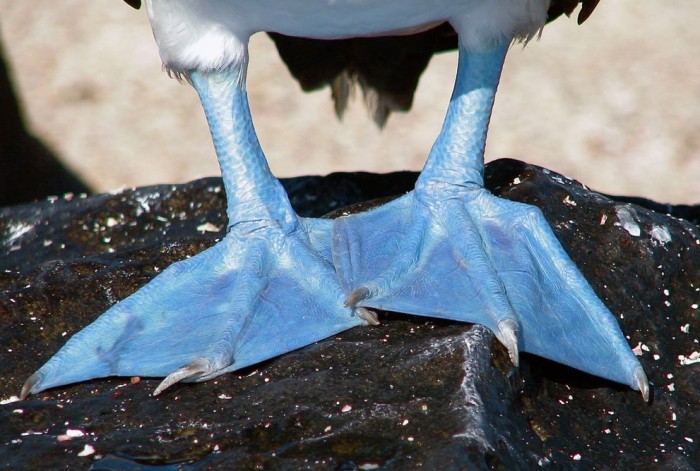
{"x":262,"y":291}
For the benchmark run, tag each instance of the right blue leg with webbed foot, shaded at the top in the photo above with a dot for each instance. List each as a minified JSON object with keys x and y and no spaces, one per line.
{"x":450,"y":249}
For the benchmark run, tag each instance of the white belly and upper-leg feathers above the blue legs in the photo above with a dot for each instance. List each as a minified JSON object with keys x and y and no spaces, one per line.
{"x":210,"y":34}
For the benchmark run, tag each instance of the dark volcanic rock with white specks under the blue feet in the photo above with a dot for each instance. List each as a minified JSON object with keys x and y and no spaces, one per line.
{"x":410,"y":393}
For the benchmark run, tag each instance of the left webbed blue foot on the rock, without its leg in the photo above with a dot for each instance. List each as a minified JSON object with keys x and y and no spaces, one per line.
{"x":251,"y":297}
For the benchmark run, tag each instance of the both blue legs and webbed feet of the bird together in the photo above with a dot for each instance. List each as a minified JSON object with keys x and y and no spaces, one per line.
{"x":277,"y":282}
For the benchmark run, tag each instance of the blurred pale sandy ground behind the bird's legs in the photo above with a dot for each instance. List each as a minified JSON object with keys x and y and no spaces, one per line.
{"x":614,"y":103}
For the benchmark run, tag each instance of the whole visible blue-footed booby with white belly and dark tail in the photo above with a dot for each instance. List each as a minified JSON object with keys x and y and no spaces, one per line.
{"x":277,"y":282}
